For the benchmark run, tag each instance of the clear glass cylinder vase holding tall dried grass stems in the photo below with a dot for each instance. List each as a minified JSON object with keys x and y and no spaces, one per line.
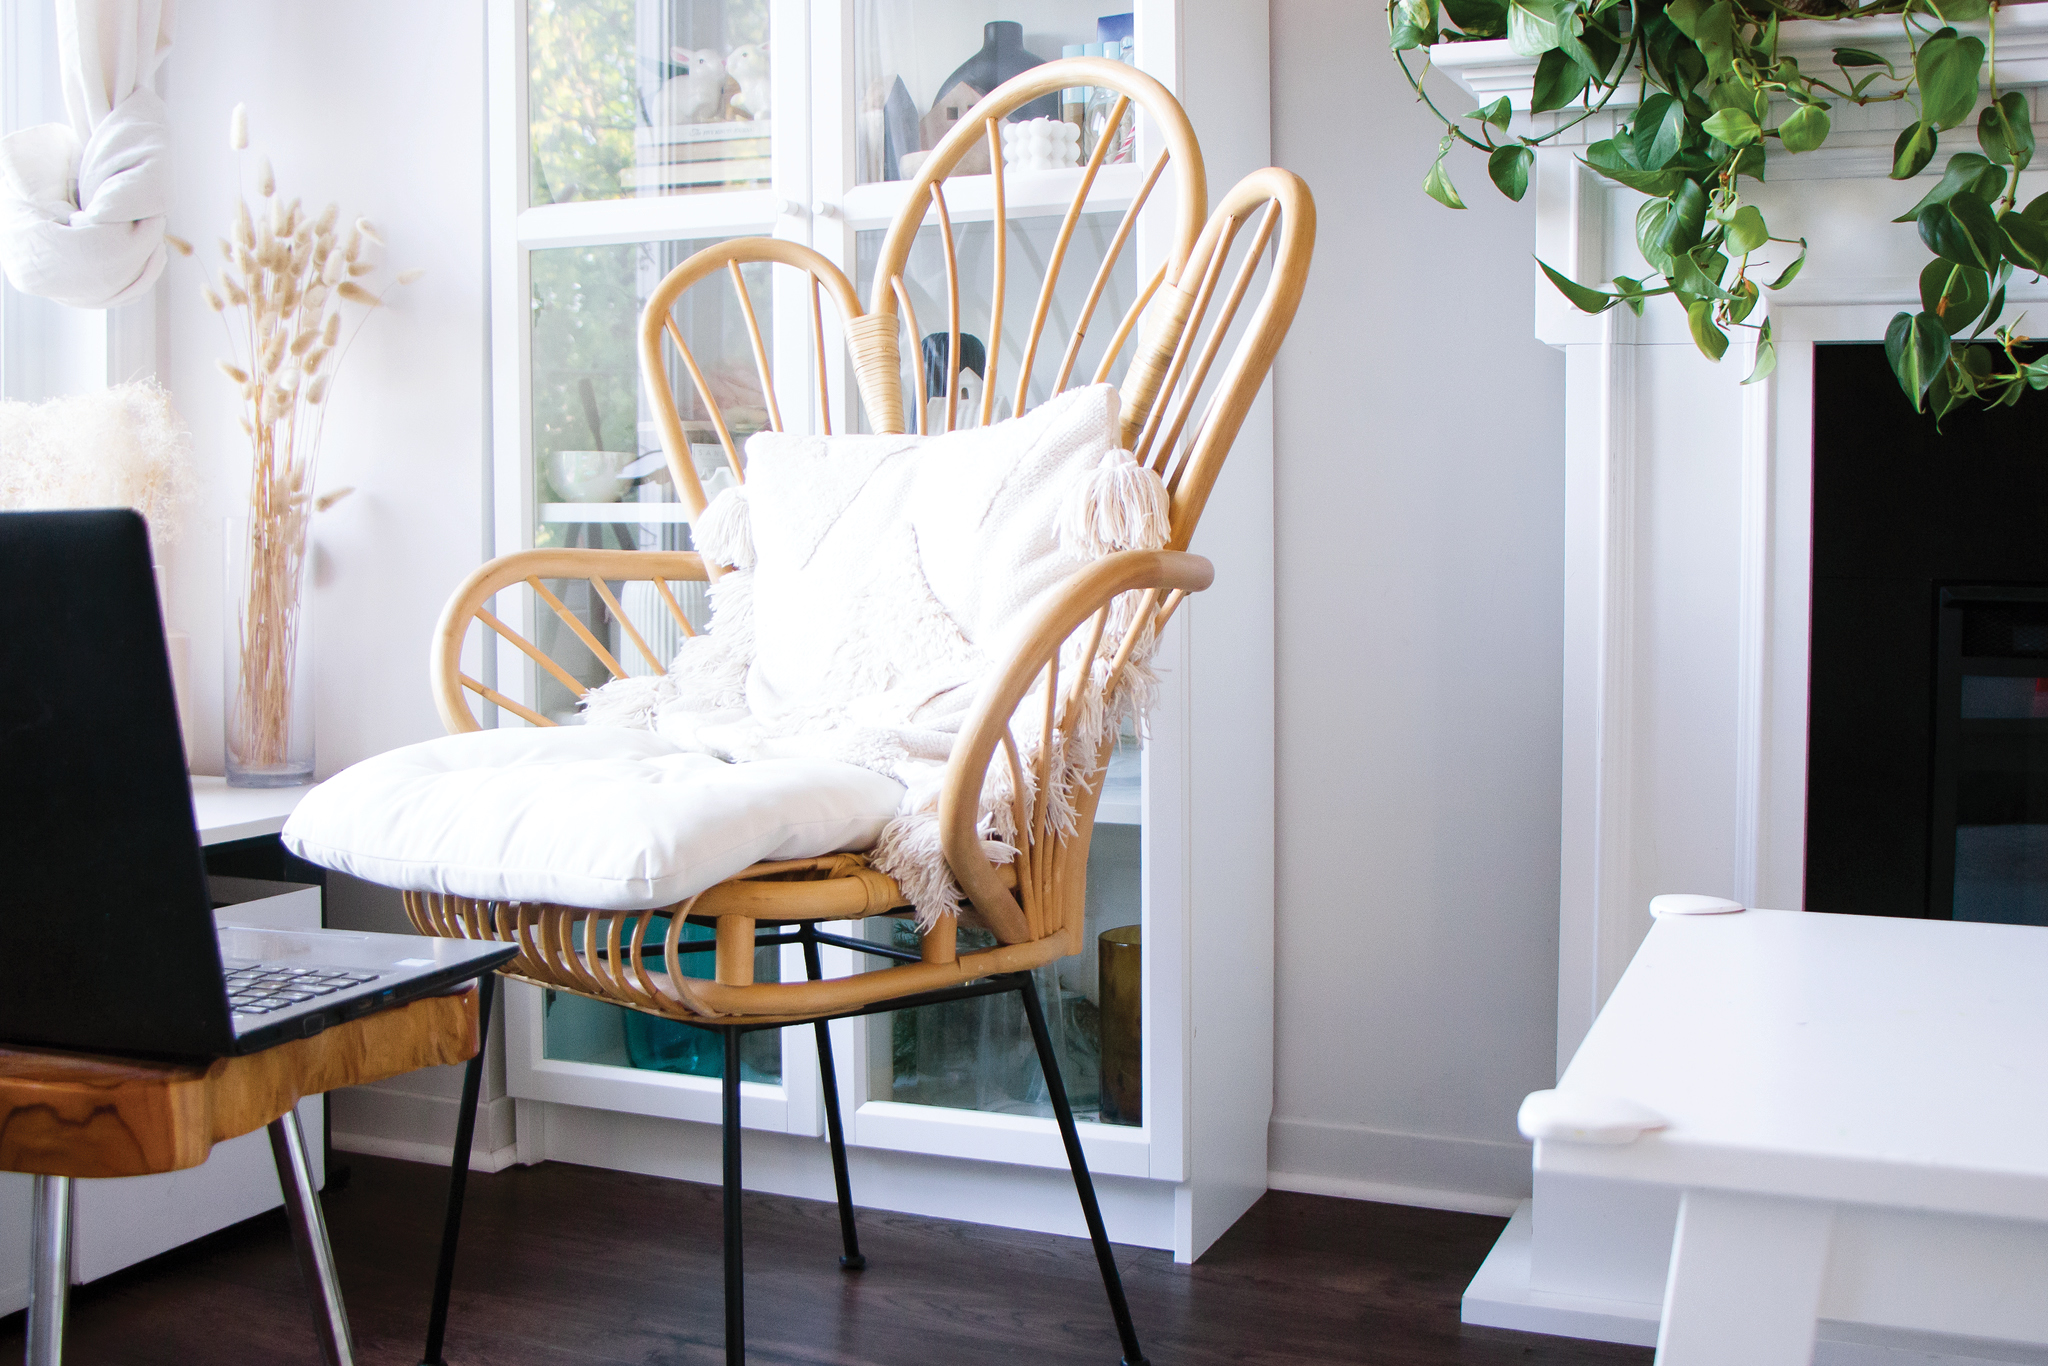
{"x":267,"y":626}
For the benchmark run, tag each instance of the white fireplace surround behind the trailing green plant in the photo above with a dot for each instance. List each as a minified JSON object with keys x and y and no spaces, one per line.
{"x":1689,"y":509}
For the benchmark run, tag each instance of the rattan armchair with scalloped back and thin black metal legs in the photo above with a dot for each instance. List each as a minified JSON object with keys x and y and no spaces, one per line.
{"x":1181,"y":415}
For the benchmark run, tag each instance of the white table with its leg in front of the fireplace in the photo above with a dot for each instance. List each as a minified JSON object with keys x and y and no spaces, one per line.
{"x":1857,"y":1121}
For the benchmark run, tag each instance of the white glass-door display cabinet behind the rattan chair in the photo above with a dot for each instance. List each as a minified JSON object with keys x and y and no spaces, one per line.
{"x":611,"y":163}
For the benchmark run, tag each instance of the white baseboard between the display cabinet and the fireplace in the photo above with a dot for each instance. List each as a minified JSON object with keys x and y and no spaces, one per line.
{"x":1357,"y":1162}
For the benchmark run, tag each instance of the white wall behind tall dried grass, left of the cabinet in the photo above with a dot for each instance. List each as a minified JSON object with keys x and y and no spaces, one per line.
{"x":378,"y":108}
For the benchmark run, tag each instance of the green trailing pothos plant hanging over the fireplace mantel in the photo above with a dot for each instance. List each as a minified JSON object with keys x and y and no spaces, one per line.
{"x":1713,"y":83}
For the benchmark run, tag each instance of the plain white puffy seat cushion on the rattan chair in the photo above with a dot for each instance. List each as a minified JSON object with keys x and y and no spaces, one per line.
{"x":599,"y":818}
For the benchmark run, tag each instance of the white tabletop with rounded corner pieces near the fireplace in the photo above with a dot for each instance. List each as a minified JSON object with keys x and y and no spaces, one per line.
{"x":1834,"y":1058}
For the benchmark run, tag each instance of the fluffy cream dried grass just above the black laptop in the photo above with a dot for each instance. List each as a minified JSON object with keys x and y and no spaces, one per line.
{"x":120,"y":447}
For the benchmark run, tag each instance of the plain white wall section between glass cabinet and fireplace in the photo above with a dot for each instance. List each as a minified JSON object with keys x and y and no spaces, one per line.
{"x":1420,"y":622}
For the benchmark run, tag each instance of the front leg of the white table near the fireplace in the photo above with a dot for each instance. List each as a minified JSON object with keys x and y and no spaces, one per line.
{"x":1746,"y":1281}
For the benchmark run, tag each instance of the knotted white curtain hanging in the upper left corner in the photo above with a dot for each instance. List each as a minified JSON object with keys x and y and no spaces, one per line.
{"x":83,"y":202}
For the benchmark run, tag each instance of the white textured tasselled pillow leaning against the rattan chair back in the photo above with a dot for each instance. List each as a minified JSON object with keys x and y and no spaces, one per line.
{"x":855,"y":531}
